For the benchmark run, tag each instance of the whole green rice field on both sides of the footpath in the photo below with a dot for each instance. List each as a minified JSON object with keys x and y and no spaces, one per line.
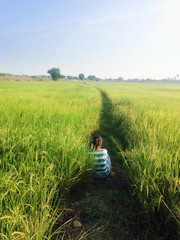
{"x":45,"y":128}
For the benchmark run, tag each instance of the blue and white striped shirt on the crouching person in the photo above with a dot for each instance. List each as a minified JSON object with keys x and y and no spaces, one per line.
{"x":102,"y":168}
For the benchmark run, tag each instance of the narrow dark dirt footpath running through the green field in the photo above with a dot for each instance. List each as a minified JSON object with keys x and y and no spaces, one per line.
{"x":104,"y":208}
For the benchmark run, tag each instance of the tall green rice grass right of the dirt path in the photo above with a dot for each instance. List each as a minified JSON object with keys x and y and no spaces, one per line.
{"x":147,"y":123}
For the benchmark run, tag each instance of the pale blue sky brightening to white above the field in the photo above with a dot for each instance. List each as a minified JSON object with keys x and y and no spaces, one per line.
{"x":105,"y":38}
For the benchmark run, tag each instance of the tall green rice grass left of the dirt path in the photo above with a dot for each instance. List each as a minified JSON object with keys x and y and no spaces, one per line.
{"x":45,"y":130}
